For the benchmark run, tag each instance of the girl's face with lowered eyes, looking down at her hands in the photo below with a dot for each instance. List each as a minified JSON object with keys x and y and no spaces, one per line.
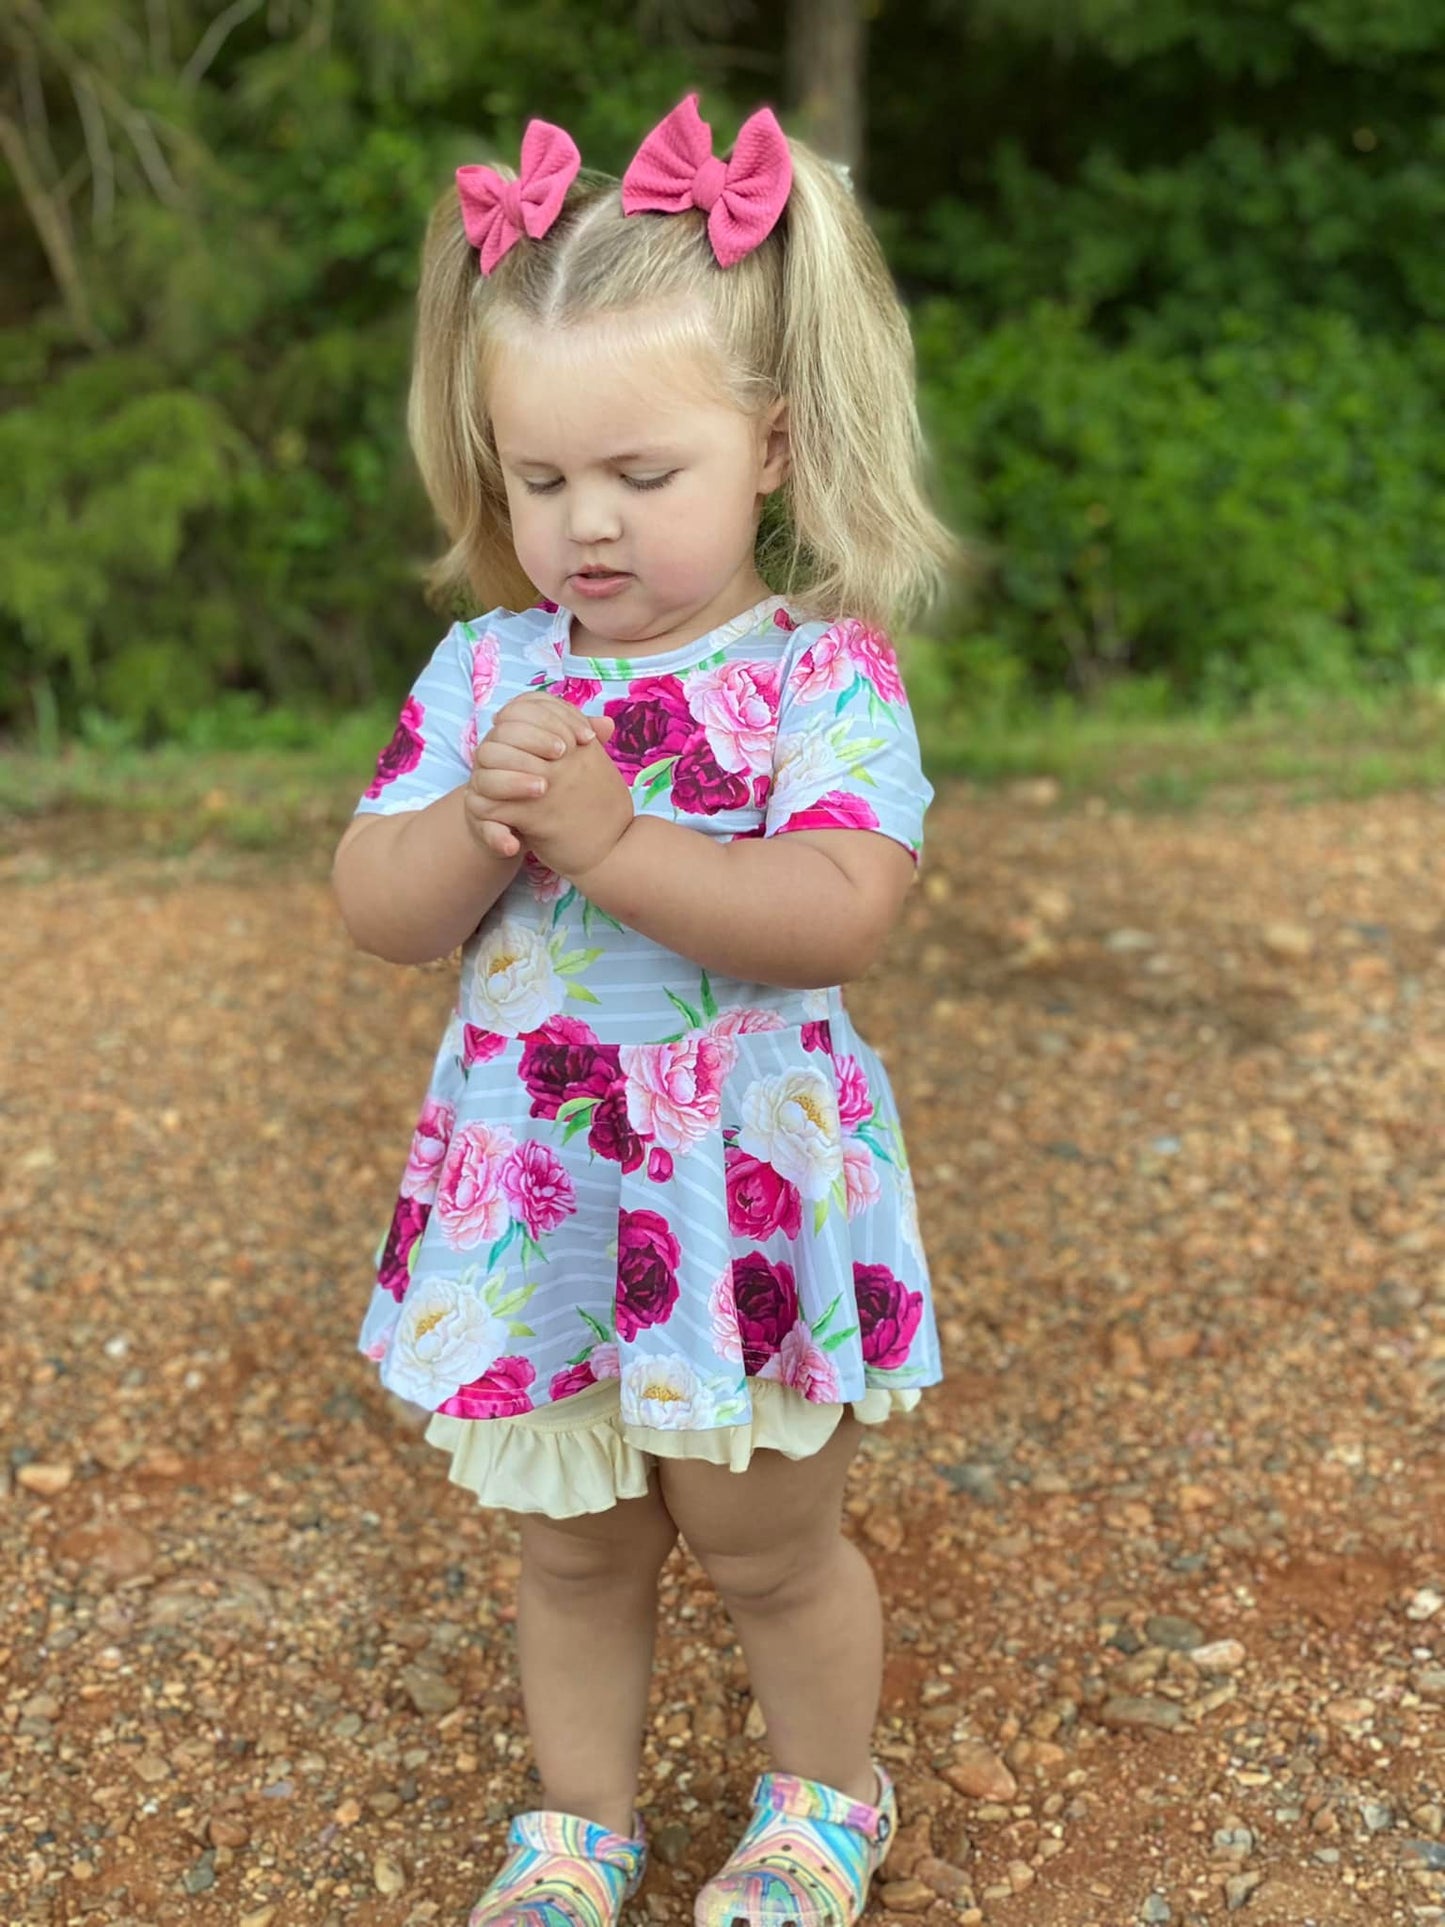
{"x":635,"y":485}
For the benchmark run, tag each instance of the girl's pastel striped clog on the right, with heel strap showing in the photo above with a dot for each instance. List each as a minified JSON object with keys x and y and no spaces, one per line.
{"x":806,"y":1859}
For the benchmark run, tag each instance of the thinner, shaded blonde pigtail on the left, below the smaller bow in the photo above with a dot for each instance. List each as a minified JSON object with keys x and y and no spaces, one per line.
{"x":450,"y":431}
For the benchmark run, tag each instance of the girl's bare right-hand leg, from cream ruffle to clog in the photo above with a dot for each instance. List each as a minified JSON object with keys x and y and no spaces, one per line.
{"x":802,"y":1598}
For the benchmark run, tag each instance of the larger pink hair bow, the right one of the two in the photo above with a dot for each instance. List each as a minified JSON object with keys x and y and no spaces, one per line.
{"x":675,"y":169}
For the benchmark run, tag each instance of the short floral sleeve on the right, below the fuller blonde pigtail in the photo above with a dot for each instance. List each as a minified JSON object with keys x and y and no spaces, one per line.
{"x":847,"y":754}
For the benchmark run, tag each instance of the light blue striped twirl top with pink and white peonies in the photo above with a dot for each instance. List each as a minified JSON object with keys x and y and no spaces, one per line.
{"x":625,"y":1167}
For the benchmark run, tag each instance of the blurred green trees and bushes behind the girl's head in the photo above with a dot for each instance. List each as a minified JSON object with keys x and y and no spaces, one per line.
{"x":1174,"y":265}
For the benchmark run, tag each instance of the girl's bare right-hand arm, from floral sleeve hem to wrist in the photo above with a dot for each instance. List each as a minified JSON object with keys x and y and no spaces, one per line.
{"x":802,"y":911}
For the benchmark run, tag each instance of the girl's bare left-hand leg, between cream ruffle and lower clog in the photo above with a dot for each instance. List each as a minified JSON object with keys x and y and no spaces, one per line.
{"x":587,"y":1614}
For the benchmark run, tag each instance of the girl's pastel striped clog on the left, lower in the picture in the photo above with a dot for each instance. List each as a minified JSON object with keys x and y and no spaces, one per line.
{"x":562,"y":1872}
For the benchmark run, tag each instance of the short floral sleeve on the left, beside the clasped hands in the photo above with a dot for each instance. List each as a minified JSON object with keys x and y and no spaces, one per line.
{"x":434,"y":741}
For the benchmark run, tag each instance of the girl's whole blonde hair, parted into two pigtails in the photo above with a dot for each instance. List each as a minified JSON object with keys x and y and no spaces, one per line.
{"x":810,"y":317}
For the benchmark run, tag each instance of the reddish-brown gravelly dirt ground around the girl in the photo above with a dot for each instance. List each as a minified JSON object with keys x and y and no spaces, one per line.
{"x":1165,"y":1558}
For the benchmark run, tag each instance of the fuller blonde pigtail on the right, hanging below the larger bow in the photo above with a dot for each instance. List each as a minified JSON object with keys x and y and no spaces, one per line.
{"x":864,"y":539}
